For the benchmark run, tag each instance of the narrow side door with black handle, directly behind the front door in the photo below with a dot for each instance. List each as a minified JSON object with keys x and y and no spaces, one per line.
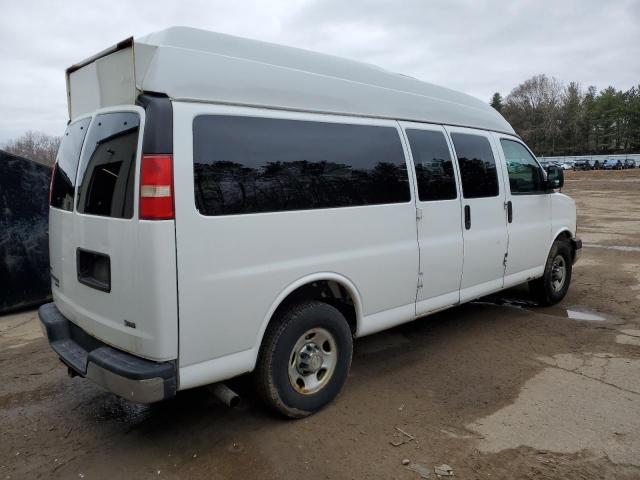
{"x":484,"y":218}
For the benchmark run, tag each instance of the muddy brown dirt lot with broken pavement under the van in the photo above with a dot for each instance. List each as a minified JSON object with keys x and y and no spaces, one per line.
{"x":494,"y":389}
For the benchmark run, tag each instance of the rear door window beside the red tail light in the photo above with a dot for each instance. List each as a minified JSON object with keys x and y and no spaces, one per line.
{"x":108,"y":166}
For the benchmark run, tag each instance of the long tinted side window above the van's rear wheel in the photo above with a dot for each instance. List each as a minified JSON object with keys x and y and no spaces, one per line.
{"x":247,"y":165}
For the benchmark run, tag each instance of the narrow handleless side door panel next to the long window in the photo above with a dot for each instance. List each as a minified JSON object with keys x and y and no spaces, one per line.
{"x":439,"y":218}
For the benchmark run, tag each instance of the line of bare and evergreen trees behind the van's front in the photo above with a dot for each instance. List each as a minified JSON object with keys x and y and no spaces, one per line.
{"x":558,"y":119}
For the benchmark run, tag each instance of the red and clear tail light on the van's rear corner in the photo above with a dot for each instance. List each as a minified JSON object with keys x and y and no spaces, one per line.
{"x":156,"y":187}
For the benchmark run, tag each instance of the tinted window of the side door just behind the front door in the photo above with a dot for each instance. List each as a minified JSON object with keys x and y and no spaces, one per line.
{"x":477,"y":165}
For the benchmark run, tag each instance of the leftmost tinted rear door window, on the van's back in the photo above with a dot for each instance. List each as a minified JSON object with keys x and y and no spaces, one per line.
{"x":64,"y":177}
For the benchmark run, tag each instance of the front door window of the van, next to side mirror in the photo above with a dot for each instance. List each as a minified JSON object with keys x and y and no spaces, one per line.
{"x":525,"y":175}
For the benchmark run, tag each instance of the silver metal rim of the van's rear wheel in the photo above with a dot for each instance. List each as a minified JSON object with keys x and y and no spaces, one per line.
{"x":312,"y":361}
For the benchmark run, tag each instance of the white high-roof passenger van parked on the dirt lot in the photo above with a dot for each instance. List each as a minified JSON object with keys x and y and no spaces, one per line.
{"x":222,"y":206}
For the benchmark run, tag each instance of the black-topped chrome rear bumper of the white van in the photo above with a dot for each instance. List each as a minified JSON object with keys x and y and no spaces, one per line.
{"x":126,"y":375}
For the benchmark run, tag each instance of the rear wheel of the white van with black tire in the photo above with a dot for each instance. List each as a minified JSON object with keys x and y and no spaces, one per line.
{"x":291,"y":383}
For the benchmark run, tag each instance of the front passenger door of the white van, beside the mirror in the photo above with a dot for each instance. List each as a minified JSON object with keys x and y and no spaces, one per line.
{"x":528,"y":211}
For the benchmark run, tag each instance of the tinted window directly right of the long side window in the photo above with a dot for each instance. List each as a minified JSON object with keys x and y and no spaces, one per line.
{"x":434,"y":167}
